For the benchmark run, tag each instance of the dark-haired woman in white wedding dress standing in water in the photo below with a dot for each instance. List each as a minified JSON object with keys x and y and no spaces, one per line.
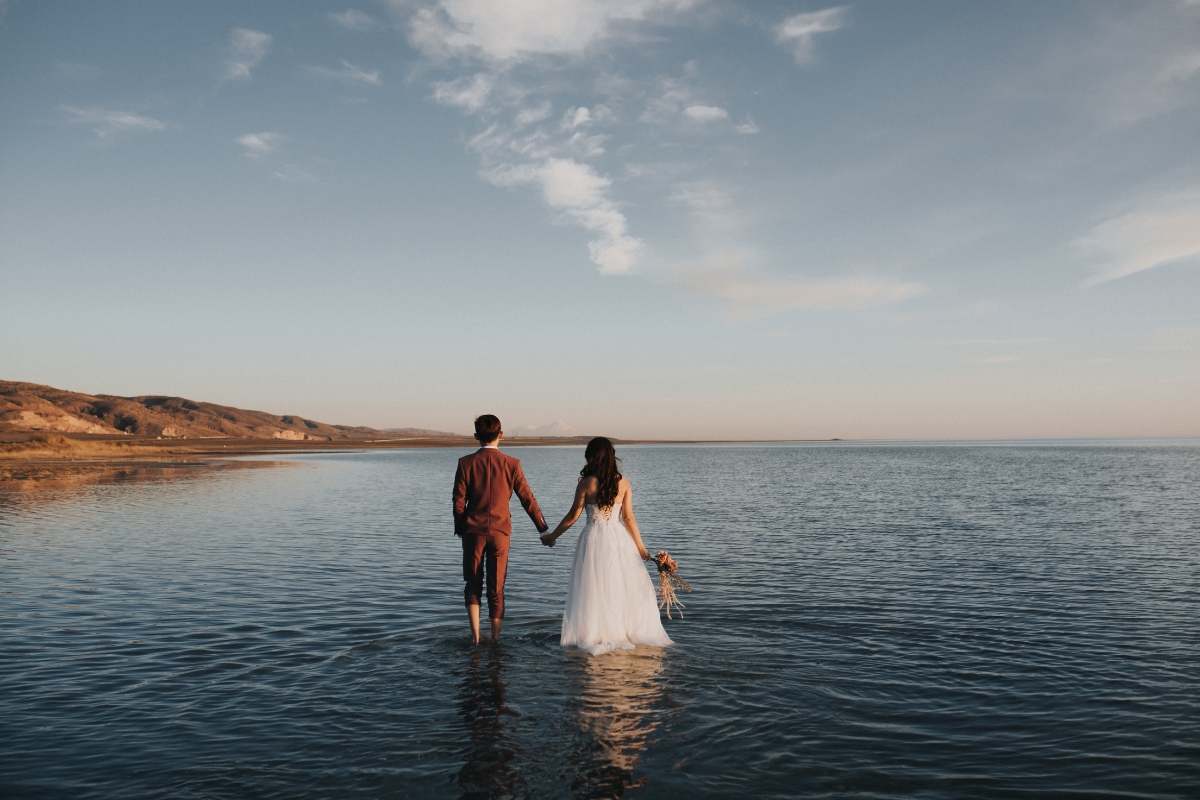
{"x":611,"y":603}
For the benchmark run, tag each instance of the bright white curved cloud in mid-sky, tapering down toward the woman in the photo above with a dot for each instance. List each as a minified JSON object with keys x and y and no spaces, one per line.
{"x":581,"y":194}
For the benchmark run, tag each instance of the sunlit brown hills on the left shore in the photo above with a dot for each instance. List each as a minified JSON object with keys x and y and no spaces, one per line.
{"x":32,"y":407}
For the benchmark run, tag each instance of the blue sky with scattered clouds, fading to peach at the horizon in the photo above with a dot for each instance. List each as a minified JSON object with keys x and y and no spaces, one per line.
{"x":640,"y":218}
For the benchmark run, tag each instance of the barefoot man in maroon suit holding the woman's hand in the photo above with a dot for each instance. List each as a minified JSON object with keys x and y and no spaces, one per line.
{"x":483,"y":486}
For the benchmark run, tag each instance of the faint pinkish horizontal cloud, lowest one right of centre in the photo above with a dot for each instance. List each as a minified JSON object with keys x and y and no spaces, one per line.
{"x":753,"y":293}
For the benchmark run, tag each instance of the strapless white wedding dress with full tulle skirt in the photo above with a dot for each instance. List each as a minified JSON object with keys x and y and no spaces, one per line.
{"x":611,"y":603}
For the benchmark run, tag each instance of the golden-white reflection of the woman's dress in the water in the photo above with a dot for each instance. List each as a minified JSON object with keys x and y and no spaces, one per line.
{"x":617,"y":712}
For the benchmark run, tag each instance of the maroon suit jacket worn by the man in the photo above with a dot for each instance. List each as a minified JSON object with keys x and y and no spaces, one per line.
{"x":485,"y":482}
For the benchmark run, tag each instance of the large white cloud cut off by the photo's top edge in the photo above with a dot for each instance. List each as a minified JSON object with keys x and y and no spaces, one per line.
{"x":519,"y":29}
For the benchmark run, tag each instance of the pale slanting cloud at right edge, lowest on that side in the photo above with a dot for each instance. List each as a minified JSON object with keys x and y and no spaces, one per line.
{"x":1136,"y":243}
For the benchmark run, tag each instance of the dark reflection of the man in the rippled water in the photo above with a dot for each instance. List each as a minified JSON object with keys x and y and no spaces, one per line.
{"x":489,"y":769}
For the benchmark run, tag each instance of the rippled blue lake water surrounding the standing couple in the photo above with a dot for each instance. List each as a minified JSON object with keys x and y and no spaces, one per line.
{"x":869,"y":622}
